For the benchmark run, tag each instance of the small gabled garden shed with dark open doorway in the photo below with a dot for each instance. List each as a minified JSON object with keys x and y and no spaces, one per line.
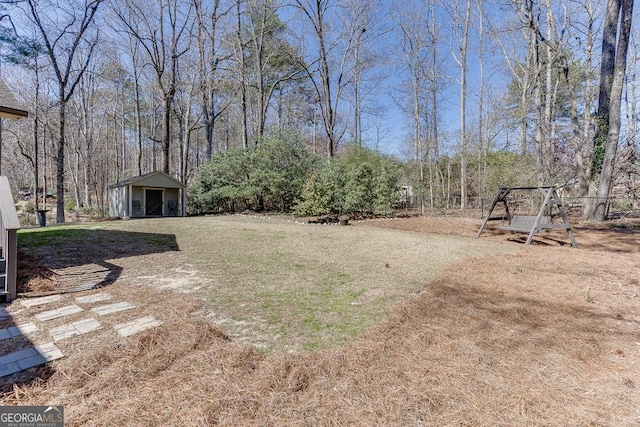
{"x":154,"y":194}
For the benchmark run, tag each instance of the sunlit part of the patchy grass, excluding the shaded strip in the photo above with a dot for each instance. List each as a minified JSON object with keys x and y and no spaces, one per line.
{"x":284,"y":286}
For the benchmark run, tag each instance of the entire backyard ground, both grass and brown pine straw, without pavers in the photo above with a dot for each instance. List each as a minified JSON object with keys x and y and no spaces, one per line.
{"x":266,"y":321}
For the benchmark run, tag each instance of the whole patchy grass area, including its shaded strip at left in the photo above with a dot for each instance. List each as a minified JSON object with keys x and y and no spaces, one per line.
{"x":274,"y":284}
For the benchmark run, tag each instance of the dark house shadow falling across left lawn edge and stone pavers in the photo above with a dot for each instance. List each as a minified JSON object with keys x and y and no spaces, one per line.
{"x":56,"y":260}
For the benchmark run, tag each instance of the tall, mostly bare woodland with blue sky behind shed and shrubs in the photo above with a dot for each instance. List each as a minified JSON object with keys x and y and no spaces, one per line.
{"x":487,"y":93}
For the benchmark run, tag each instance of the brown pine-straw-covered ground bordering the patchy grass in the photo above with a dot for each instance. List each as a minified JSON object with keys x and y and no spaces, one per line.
{"x":544,"y":335}
